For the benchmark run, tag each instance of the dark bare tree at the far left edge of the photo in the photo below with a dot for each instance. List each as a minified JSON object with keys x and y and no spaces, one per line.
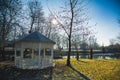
{"x":9,"y":11}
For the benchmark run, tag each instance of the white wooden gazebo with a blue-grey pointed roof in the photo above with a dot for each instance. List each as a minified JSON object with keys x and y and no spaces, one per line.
{"x":34,"y":51}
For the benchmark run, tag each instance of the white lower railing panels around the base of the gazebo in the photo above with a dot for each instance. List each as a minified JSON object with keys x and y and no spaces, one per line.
{"x":29,"y":63}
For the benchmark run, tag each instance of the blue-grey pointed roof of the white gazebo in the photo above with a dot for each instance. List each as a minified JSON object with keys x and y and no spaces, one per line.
{"x":35,"y":37}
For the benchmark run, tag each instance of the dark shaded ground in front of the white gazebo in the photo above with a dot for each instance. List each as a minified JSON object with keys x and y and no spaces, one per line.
{"x":8,"y":72}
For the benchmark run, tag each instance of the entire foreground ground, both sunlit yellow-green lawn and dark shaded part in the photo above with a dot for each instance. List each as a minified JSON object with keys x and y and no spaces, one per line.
{"x":84,"y":69}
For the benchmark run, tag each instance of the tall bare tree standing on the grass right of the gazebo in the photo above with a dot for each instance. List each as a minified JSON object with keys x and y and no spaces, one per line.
{"x":70,"y":19}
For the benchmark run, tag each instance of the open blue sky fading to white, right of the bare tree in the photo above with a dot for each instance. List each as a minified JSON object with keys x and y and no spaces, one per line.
{"x":105,"y":14}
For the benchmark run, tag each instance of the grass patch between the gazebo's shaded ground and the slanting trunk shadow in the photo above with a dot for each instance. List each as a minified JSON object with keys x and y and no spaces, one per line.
{"x":63,"y":72}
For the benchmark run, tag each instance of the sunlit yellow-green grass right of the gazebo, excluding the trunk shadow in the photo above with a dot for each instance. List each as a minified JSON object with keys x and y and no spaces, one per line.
{"x":95,"y":69}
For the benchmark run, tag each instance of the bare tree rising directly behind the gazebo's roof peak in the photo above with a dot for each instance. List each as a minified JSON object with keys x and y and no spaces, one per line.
{"x":36,"y":16}
